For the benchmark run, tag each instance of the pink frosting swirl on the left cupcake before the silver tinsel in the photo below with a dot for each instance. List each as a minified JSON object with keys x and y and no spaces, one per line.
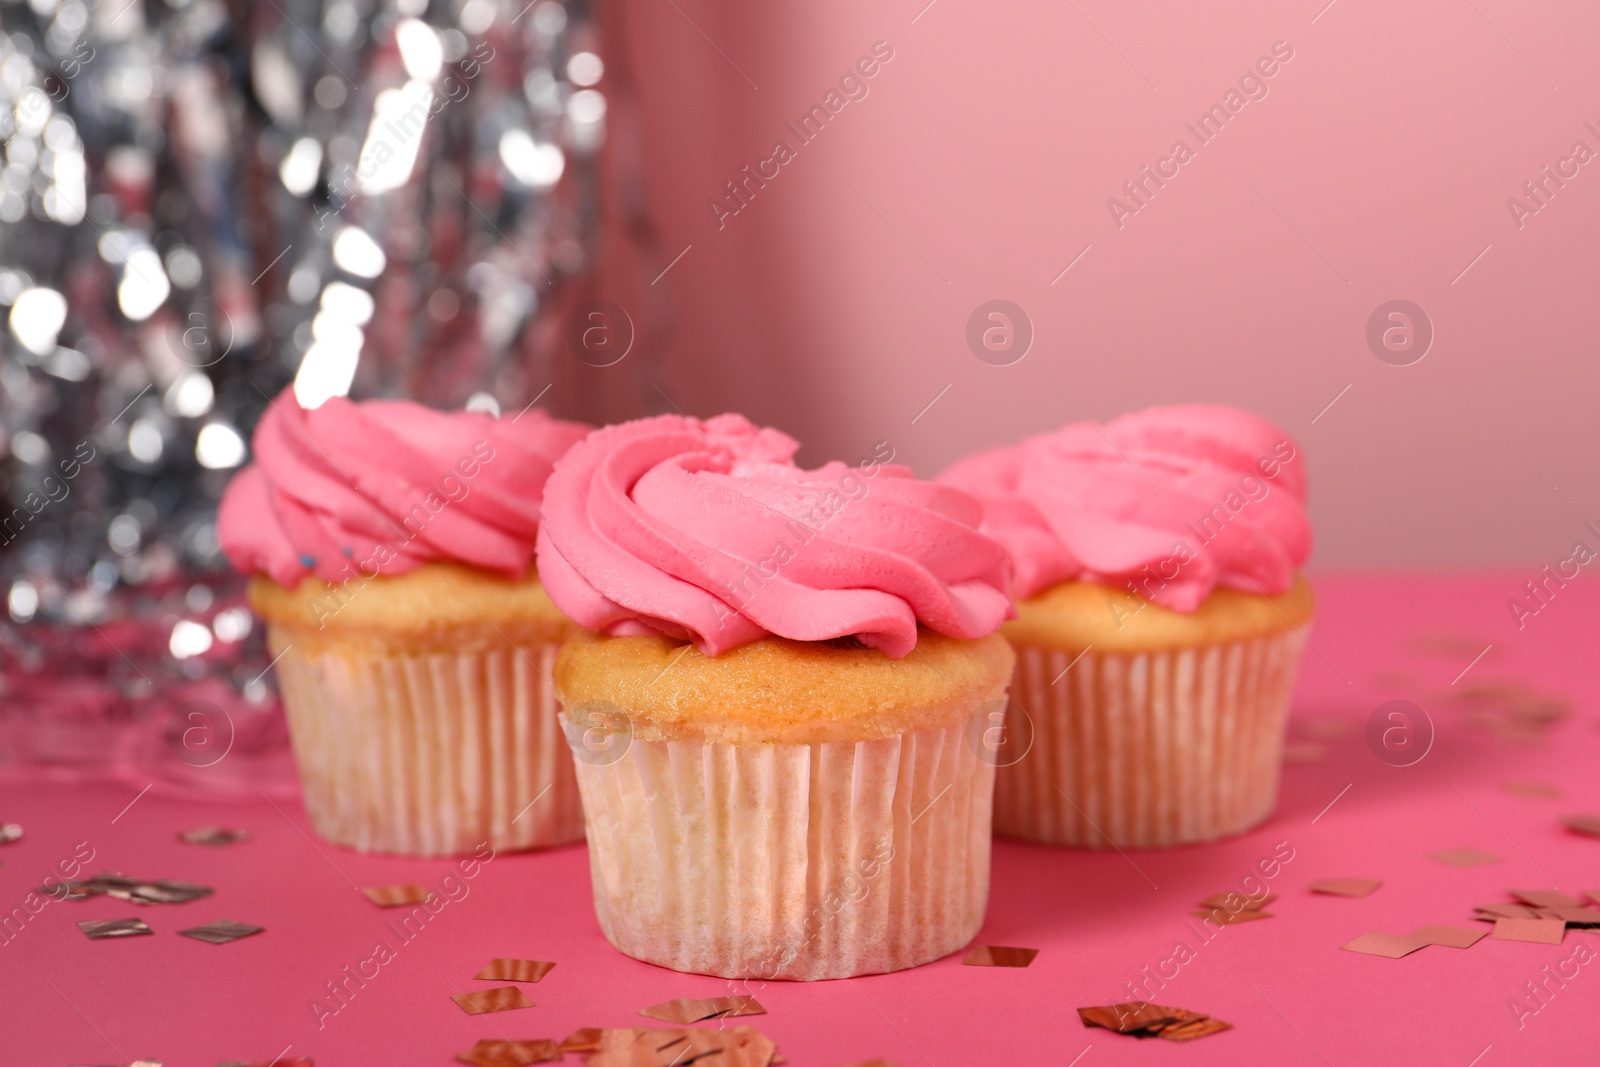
{"x":386,"y":487}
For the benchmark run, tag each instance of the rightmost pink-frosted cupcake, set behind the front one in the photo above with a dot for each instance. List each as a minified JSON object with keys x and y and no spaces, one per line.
{"x":1161,"y":621}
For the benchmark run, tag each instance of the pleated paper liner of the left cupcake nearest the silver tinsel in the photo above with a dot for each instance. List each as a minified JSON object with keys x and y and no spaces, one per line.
{"x":430,"y":754}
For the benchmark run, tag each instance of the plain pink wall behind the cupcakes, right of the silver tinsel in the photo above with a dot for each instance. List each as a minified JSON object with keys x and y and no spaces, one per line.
{"x":980,"y":166}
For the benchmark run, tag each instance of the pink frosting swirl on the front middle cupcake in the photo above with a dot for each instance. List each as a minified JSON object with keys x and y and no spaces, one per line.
{"x":708,"y":532}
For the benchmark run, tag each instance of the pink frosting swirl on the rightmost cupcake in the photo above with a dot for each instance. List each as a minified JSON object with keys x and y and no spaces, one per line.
{"x":1169,"y":502}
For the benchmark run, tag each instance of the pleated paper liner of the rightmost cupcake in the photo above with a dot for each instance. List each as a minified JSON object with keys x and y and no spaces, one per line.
{"x":1150,"y":749}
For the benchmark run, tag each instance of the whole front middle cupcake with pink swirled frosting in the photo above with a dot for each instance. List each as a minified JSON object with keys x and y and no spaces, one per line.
{"x":775,"y":705}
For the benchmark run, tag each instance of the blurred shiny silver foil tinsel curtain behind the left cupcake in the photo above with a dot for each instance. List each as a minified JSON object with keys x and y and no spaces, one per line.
{"x":202,"y":202}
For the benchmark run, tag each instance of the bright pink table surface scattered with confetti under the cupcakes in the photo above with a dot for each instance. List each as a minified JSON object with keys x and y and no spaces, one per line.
{"x":1098,"y":919}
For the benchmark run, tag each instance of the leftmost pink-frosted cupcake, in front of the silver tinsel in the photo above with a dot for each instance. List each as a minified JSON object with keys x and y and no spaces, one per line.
{"x":391,"y":549}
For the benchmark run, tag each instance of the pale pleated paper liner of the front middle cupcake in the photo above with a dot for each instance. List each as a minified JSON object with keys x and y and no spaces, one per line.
{"x":791,"y":861}
